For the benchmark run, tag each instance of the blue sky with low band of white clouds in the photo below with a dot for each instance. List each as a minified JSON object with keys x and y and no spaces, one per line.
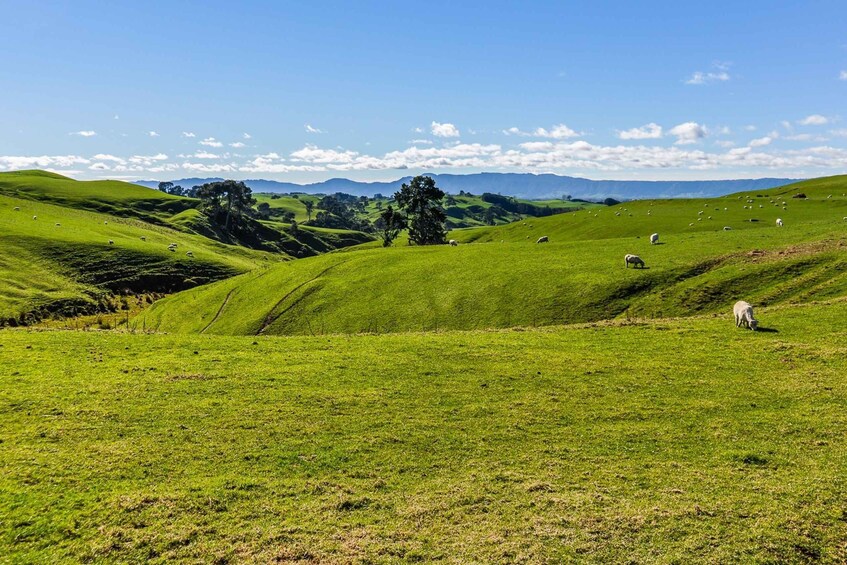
{"x":305,"y":91}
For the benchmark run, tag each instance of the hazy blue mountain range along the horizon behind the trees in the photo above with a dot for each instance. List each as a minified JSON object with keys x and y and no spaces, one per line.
{"x":520,"y":185}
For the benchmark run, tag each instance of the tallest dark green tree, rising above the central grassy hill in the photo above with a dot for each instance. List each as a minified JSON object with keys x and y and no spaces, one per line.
{"x":420,"y":200}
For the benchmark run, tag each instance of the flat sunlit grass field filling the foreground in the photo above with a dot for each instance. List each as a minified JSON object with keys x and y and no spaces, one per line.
{"x":670,"y":441}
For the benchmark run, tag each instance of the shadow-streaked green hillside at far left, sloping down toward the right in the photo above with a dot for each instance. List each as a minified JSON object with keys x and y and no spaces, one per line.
{"x":42,"y":264}
